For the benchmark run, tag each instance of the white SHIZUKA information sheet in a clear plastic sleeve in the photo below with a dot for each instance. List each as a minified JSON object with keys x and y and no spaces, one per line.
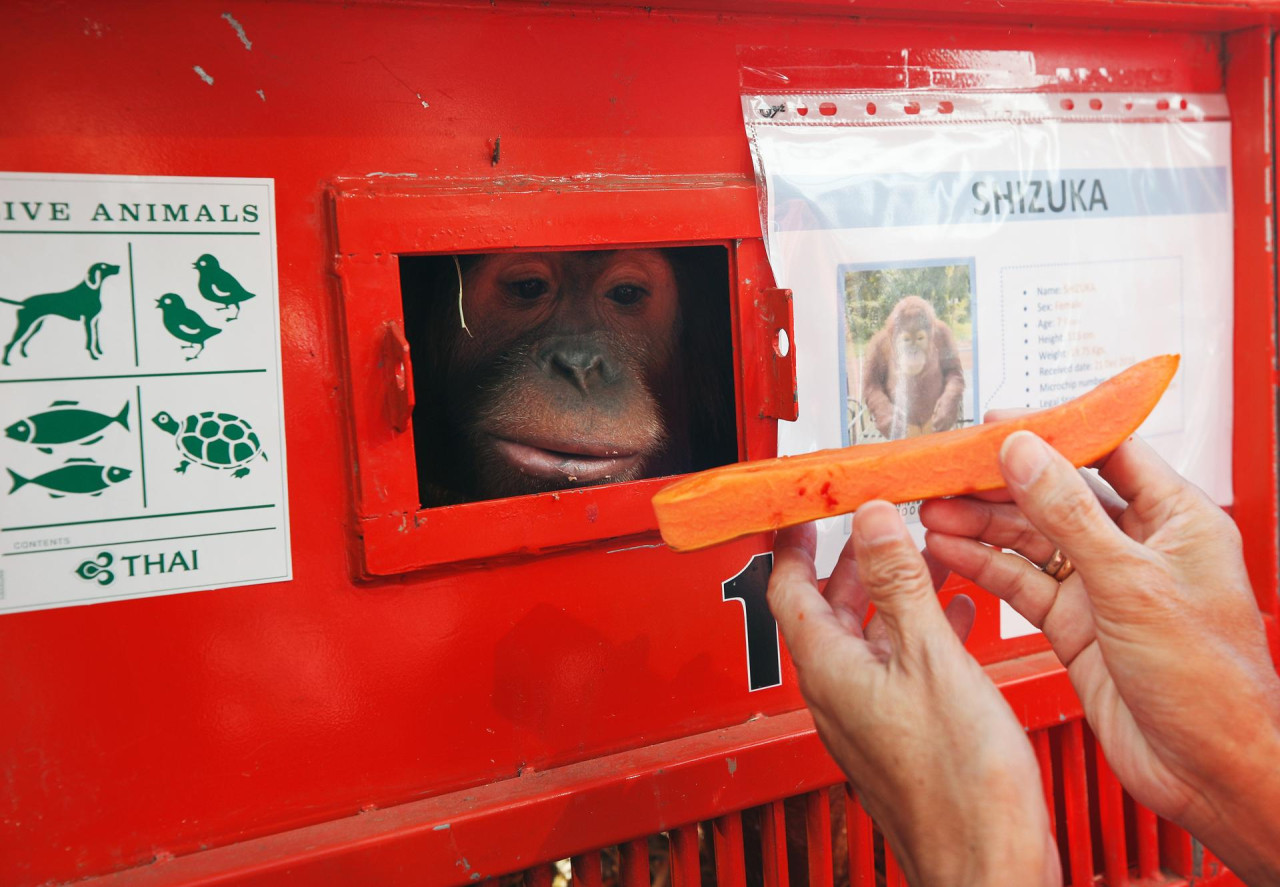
{"x":1030,"y":260}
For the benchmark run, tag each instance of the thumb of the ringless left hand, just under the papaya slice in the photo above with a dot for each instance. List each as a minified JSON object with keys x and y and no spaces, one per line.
{"x":895,"y":577}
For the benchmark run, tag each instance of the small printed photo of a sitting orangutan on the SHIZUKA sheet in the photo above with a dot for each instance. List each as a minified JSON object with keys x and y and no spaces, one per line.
{"x":909,"y":350}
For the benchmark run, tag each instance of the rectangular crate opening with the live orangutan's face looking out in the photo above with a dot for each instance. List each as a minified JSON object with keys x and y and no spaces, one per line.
{"x":542,"y":372}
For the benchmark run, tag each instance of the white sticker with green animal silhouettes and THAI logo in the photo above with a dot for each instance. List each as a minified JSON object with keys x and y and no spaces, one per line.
{"x":141,"y":409}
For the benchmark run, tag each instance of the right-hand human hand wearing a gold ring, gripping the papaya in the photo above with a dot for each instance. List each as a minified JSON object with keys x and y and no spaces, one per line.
{"x":1158,"y":629}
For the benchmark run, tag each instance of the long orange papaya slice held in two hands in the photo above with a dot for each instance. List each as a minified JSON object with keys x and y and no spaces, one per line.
{"x":721,"y":505}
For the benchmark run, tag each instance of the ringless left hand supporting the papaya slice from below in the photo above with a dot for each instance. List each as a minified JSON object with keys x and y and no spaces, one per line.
{"x":936,"y":755}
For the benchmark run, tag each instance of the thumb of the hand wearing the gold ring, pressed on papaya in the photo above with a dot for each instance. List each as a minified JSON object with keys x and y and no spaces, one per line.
{"x":1060,"y":505}
